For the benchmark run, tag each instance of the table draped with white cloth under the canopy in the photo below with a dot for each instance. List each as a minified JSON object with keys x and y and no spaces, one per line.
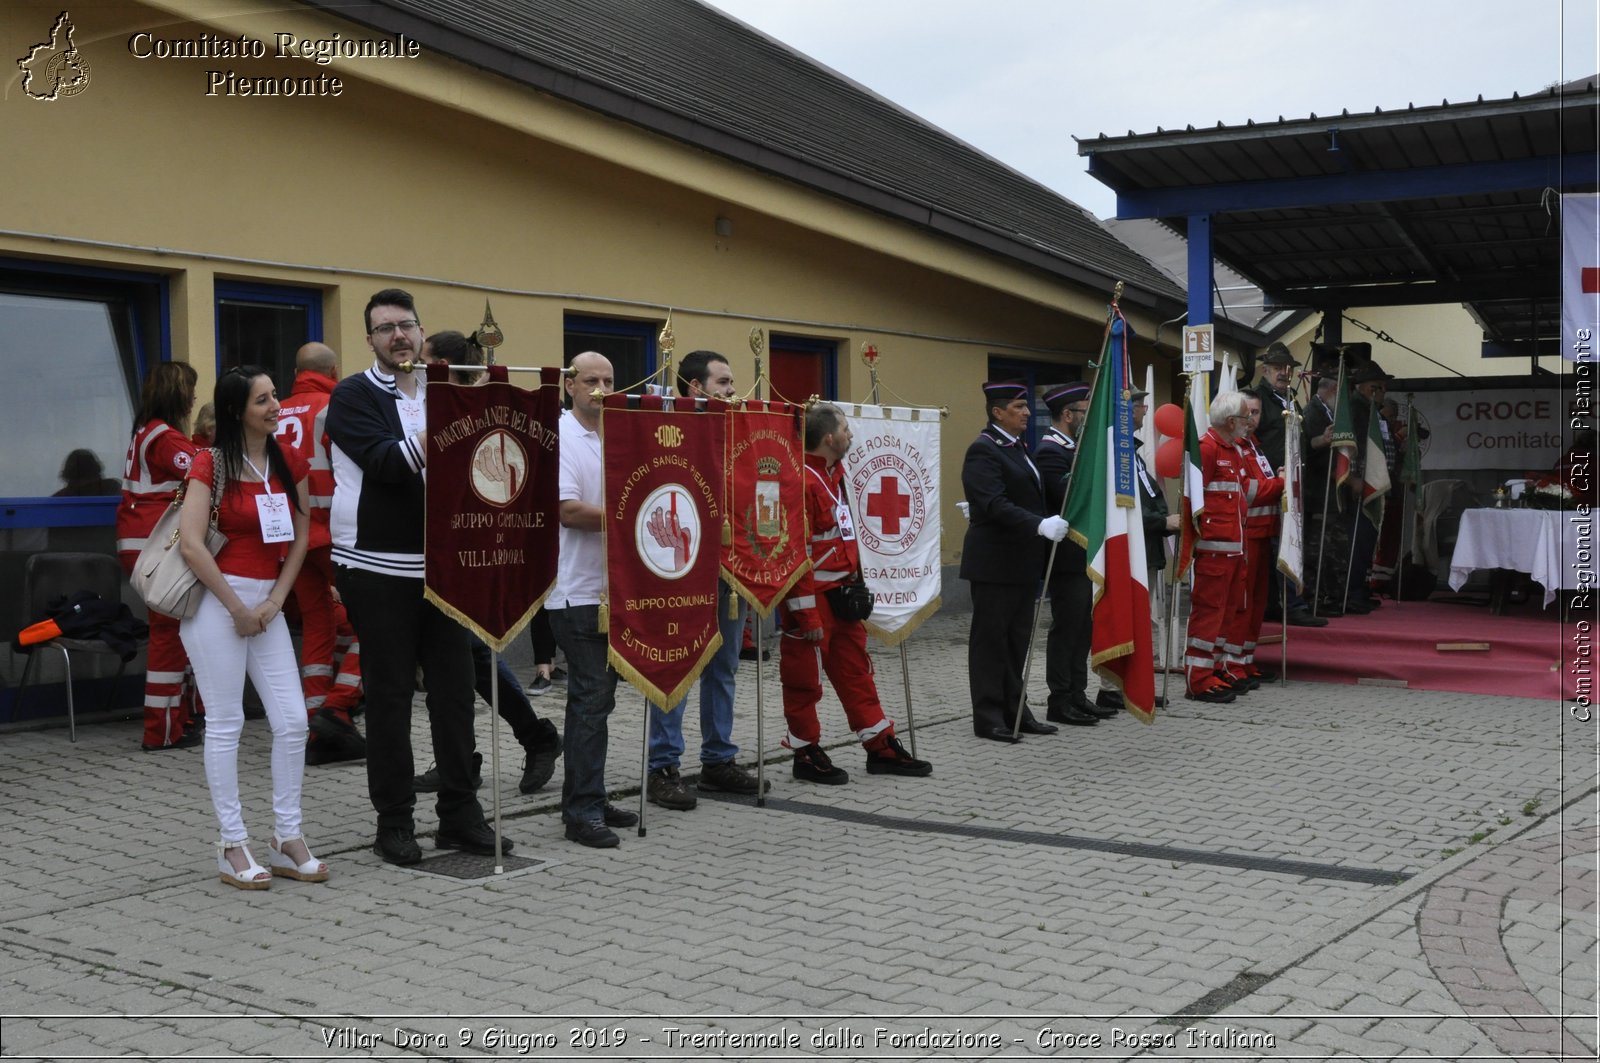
{"x":1538,"y":542}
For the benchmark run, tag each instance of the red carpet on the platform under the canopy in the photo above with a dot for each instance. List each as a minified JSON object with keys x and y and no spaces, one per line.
{"x":1401,"y":643}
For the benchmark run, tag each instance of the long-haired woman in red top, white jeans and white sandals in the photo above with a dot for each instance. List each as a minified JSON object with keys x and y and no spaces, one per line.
{"x":239,"y":628}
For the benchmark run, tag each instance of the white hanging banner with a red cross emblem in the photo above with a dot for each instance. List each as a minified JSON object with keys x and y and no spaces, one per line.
{"x":894,"y":476}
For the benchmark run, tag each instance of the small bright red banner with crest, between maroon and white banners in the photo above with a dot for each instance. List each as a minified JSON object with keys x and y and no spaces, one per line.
{"x":766,"y":503}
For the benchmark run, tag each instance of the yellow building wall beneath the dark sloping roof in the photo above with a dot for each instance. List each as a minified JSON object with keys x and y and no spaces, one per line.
{"x":462,"y":187}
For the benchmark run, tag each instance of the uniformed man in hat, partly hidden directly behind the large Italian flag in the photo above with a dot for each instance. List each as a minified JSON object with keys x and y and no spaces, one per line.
{"x":1071,"y":593}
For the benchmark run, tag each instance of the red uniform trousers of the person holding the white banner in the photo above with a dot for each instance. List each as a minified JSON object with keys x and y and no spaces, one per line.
{"x":844,"y":657}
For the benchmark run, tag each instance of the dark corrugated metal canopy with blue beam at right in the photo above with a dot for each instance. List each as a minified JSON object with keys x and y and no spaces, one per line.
{"x":1444,"y":204}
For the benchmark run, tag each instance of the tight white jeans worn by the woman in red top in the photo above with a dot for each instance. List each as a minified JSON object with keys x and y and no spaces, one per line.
{"x":222,"y":660}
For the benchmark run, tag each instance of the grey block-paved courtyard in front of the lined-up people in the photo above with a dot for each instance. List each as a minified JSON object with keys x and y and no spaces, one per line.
{"x":1314,"y":872}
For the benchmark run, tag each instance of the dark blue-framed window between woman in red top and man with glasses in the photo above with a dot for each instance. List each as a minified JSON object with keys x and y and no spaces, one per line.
{"x":265,"y":326}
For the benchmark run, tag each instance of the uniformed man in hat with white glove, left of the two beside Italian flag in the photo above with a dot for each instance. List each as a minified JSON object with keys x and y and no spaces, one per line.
{"x":1004,"y":558}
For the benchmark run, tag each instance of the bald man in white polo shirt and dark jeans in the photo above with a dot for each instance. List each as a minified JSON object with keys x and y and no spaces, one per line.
{"x":575,"y":611}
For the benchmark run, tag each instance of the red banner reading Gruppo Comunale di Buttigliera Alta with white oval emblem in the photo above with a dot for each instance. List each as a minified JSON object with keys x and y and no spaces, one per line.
{"x":665,"y":524}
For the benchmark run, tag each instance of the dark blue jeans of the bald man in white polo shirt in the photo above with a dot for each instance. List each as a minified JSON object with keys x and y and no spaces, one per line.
{"x":591,"y":696}
